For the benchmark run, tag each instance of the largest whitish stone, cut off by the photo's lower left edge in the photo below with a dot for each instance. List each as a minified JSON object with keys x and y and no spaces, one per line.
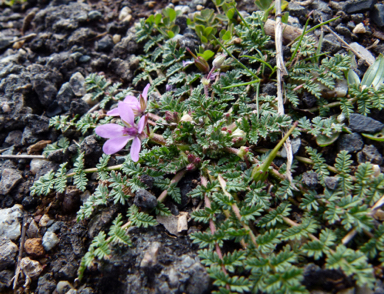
{"x":10,"y":222}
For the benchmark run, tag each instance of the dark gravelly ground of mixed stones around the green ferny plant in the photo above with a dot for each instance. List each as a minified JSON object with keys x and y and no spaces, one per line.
{"x":46,"y":50}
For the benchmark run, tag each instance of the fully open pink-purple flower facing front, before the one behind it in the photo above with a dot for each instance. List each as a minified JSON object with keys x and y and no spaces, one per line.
{"x":118,"y":136}
